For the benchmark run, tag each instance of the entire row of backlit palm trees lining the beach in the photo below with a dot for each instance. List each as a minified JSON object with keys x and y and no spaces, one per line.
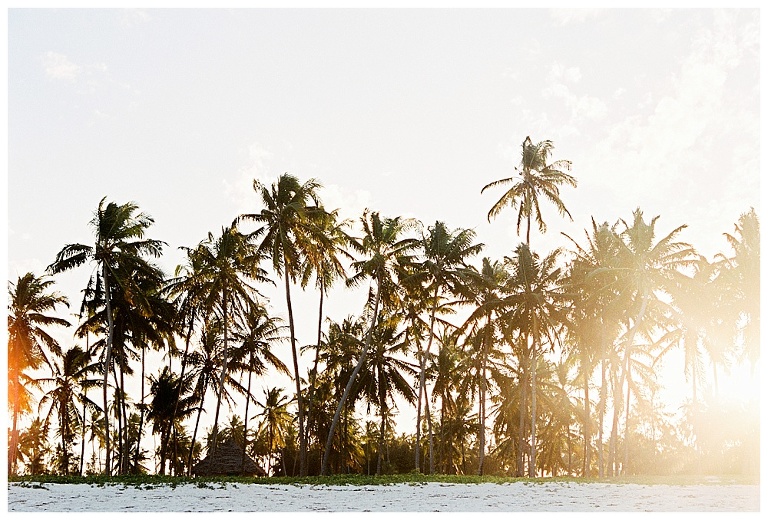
{"x":530,"y":365}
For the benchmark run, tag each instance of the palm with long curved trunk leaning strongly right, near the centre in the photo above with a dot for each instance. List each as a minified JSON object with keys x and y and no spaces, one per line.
{"x":386,"y":250}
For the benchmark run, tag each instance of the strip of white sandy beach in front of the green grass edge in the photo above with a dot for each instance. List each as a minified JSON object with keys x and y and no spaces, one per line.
{"x":427,"y":497}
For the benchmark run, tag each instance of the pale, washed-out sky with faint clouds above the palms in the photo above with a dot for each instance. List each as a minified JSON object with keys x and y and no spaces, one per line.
{"x":404,"y":111}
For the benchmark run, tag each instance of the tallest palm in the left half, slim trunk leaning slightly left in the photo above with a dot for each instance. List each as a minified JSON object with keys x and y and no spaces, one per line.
{"x":289,"y":224}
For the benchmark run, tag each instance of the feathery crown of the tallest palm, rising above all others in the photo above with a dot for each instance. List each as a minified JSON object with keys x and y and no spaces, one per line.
{"x":537,"y":178}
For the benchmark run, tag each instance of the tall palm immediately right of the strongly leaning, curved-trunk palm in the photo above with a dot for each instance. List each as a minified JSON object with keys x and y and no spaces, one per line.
{"x":441,"y":271}
